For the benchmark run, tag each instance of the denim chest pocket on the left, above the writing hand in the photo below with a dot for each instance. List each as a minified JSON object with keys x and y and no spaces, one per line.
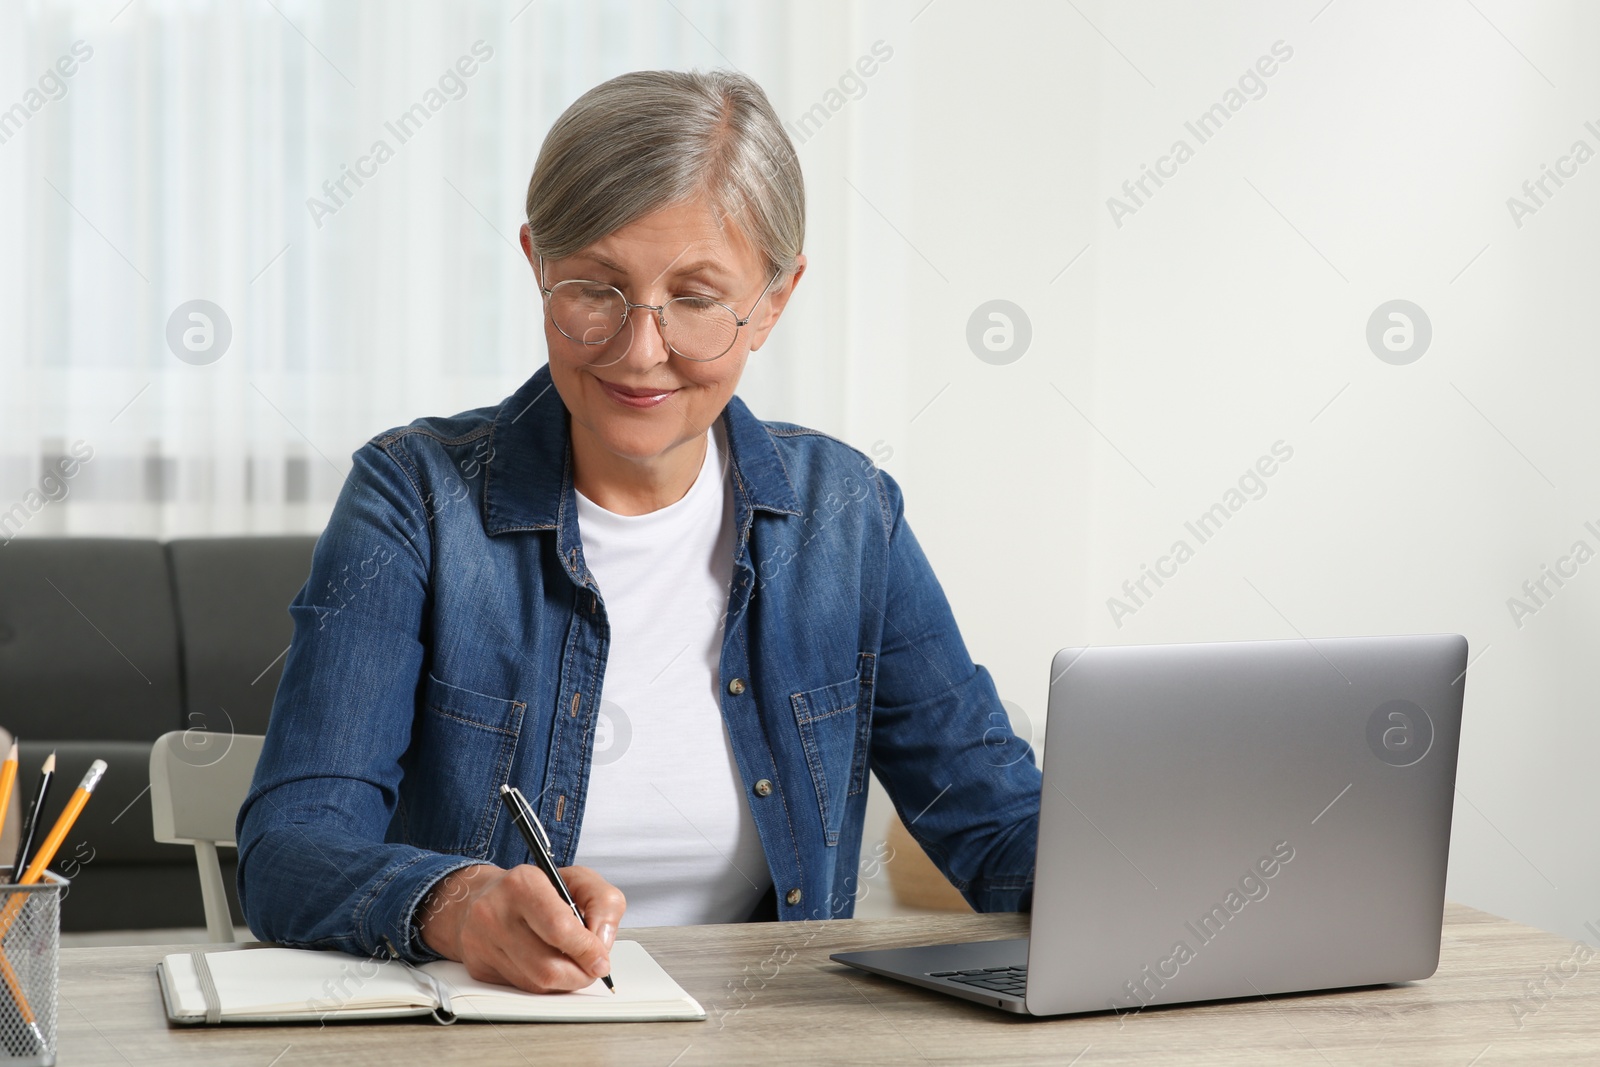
{"x":463,"y":745}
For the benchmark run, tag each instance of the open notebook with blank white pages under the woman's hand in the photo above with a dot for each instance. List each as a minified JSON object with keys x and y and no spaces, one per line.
{"x":314,"y":986}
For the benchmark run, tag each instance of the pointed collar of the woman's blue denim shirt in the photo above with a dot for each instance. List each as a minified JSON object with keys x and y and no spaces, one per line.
{"x":529,"y":482}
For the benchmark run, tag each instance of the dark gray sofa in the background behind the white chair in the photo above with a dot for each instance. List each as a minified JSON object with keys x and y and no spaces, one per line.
{"x":106,"y":645}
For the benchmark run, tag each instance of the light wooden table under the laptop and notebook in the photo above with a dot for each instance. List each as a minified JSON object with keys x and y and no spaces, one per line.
{"x":777,"y":1001}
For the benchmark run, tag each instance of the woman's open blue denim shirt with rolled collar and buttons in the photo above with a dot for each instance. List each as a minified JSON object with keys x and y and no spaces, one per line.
{"x":450,"y":639}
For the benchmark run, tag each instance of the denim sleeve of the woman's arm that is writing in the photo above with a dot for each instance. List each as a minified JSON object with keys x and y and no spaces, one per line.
{"x":314,"y":868}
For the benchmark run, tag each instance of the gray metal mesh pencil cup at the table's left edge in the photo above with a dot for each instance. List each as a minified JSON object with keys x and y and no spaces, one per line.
{"x":30,"y":970}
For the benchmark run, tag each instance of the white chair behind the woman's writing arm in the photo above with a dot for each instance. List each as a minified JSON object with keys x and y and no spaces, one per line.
{"x":198,"y":783}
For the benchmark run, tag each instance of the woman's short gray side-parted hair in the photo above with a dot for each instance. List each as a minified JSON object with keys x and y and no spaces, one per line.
{"x":654,"y":138}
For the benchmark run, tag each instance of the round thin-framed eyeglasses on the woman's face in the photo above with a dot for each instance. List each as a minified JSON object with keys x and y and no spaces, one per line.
{"x":694,"y":327}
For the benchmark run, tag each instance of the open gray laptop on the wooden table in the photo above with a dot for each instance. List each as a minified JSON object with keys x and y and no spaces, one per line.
{"x":1228,"y":820}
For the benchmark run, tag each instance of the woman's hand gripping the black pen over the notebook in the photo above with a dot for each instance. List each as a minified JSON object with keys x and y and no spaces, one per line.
{"x":511,"y":927}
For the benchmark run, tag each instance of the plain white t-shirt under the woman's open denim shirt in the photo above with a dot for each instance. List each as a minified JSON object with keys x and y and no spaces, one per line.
{"x":666,"y":818}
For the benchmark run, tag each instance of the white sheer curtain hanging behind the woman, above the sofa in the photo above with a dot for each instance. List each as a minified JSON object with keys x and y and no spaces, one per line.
{"x":198,"y":153}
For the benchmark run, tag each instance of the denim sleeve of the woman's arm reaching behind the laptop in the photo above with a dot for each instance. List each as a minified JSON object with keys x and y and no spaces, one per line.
{"x":962,"y":781}
